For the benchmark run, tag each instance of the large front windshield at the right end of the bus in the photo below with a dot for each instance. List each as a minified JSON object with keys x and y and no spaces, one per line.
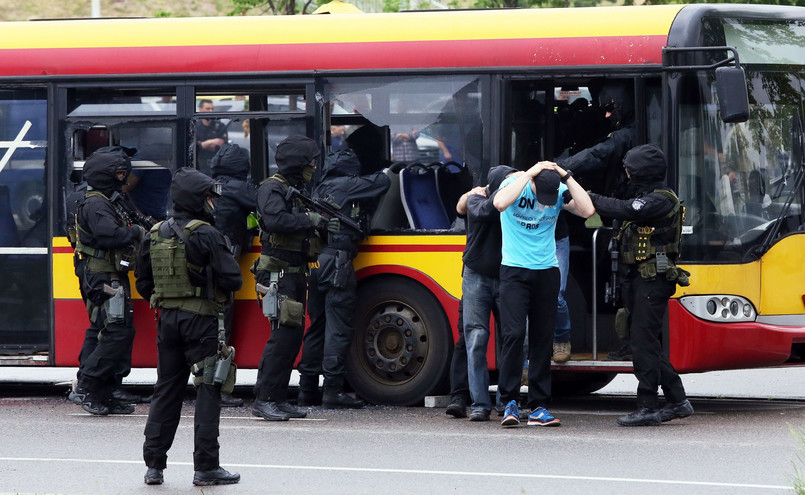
{"x":739,"y":181}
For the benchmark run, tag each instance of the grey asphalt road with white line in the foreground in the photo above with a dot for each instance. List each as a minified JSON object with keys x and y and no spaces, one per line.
{"x":730,"y":446}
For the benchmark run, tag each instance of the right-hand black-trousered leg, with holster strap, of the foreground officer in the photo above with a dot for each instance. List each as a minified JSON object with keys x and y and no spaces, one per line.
{"x":200,"y":335}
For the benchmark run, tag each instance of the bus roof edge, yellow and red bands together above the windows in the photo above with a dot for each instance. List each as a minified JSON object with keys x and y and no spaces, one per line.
{"x":445,"y":39}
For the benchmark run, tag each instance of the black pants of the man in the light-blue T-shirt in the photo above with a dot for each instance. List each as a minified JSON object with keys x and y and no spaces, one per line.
{"x":530,"y":294}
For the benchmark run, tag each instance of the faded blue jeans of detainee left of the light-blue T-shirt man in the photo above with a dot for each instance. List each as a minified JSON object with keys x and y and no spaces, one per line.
{"x":481,"y":297}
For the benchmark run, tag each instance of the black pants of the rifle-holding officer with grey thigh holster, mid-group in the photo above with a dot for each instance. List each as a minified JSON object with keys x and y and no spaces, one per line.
{"x":283,"y":344}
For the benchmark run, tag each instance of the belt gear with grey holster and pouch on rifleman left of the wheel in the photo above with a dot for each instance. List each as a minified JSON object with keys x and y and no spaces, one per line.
{"x":277,"y":307}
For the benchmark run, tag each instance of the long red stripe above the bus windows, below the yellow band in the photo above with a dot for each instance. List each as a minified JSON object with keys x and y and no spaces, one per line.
{"x":324,"y":56}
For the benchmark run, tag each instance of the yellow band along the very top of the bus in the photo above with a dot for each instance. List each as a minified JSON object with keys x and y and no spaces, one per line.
{"x":458,"y":25}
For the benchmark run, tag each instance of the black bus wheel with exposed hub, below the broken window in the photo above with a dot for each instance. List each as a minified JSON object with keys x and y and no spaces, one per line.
{"x":401,"y":347}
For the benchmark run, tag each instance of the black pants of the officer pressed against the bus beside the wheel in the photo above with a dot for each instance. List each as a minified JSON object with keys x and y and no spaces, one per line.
{"x":331,"y":310}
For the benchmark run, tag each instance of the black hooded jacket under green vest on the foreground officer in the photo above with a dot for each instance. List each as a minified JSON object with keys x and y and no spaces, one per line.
{"x":206,"y":246}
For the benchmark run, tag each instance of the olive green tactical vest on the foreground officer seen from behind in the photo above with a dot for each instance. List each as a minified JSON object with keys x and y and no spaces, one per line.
{"x":172,"y":286}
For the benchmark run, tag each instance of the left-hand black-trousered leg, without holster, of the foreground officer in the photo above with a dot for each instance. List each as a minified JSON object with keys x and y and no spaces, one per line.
{"x":166,"y":404}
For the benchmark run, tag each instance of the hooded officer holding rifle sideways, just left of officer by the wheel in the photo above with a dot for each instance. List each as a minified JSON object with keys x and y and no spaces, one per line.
{"x":290,"y":238}
